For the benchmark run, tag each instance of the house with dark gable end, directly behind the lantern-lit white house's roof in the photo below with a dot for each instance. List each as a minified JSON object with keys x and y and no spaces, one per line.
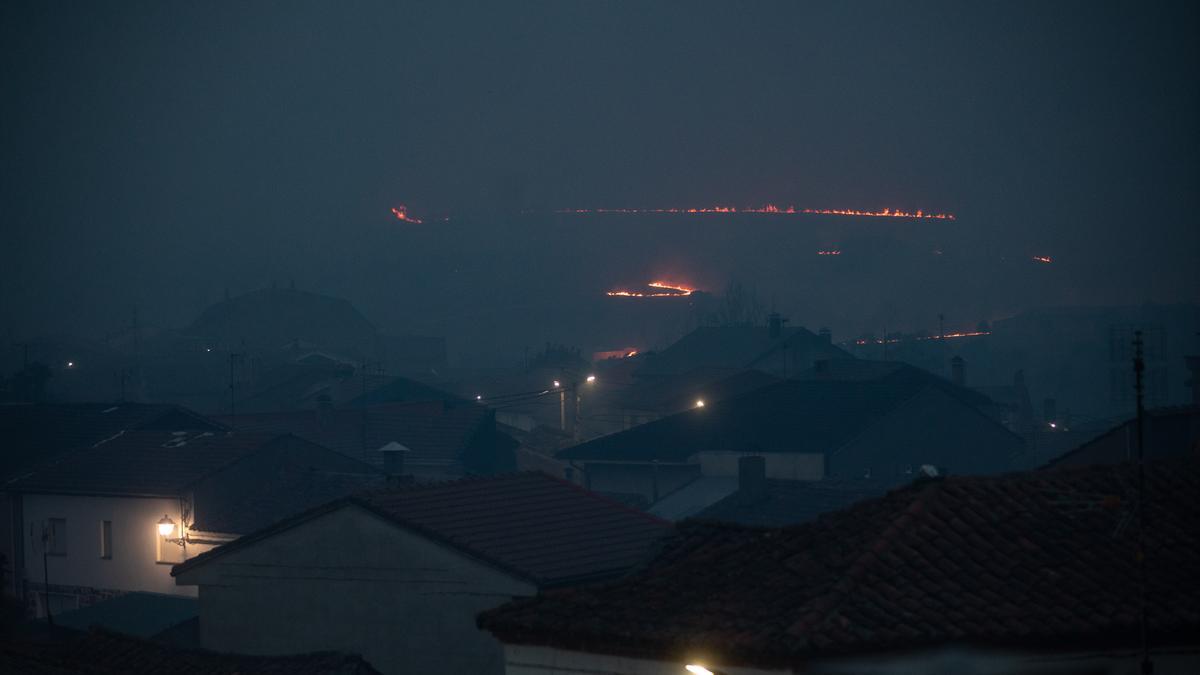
{"x":437,"y":440}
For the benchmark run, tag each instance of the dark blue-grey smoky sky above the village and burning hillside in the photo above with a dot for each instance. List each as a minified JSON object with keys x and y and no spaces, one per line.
{"x":155,"y":153}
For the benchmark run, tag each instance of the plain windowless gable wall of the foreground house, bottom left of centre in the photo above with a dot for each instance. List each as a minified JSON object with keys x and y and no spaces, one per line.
{"x":350,"y":581}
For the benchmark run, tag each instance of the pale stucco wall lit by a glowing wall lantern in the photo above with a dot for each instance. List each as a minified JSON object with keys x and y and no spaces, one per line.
{"x":134,"y":565}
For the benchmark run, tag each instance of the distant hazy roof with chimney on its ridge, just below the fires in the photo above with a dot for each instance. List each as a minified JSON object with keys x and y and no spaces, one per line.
{"x":734,"y":348}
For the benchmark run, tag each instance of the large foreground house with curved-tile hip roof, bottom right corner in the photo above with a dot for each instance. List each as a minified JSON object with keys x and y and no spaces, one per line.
{"x":1022,"y":574}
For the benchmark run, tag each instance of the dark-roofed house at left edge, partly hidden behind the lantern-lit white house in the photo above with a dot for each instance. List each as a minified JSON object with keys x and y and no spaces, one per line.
{"x":37,"y":434}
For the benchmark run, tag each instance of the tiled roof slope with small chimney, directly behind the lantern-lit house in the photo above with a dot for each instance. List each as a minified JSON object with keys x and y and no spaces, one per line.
{"x":436,"y":433}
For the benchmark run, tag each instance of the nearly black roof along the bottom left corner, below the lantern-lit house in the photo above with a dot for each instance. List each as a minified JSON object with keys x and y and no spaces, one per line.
{"x":103,"y":653}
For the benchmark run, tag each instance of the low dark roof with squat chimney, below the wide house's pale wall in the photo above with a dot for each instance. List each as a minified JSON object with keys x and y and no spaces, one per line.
{"x":791,"y":503}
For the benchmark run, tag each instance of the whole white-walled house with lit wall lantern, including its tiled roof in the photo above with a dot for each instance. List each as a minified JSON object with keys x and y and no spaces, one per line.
{"x":115,"y":517}
